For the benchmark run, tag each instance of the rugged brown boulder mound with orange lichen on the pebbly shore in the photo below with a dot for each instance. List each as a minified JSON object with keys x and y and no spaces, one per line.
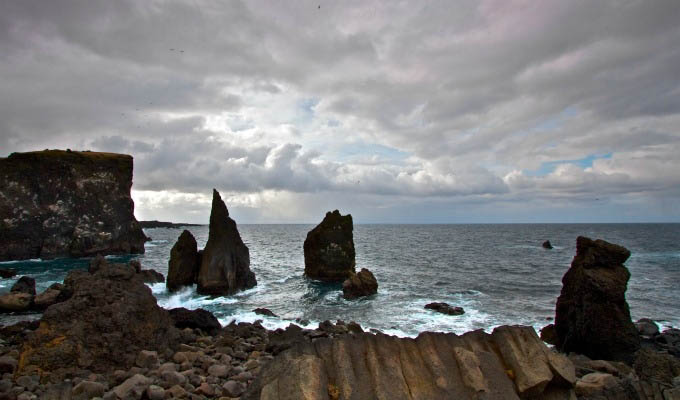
{"x":110,"y":317}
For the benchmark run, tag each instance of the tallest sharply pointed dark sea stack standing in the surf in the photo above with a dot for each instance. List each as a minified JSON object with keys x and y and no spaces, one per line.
{"x":225,"y":264}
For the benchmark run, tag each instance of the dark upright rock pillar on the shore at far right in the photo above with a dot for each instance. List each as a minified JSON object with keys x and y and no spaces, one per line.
{"x":592,"y":315}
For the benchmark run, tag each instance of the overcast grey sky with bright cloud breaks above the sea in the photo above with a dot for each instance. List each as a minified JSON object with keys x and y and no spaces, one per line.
{"x":485,"y":111}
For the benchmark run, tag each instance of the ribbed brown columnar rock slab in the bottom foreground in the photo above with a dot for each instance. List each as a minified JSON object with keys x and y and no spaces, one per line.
{"x":510,"y":363}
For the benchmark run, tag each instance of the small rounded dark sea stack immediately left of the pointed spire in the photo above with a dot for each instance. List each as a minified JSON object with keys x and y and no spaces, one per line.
{"x":184,"y":262}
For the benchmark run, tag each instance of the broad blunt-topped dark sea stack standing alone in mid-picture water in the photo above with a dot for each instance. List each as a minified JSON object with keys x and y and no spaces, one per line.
{"x":329,"y":249}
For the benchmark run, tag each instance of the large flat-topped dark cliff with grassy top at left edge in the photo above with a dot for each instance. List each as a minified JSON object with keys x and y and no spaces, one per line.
{"x":67,"y":204}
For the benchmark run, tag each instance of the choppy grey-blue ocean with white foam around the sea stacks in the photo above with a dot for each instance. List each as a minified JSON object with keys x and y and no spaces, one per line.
{"x":499,"y":274}
